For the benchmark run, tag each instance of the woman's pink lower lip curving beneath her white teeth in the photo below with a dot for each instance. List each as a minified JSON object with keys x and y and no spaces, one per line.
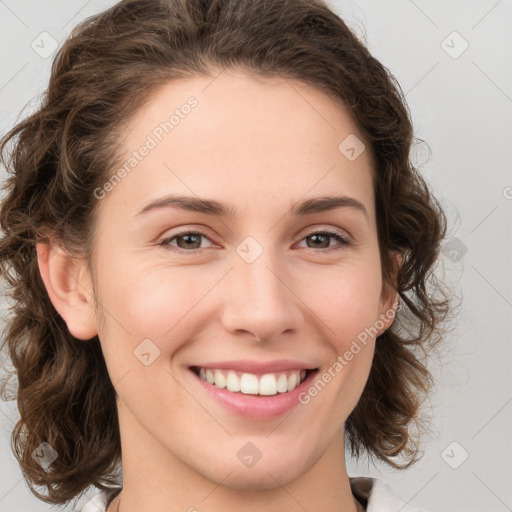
{"x":257,"y":407}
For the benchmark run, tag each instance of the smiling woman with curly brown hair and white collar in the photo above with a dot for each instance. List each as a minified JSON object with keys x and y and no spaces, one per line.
{"x":207,"y":227}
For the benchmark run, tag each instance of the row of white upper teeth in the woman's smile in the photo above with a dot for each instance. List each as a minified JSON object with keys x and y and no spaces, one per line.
{"x":250,"y":384}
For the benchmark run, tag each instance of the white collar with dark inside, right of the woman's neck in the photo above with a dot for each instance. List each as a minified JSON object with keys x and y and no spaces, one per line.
{"x":377,"y":495}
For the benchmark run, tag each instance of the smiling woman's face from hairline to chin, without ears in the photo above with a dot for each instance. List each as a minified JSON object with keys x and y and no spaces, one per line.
{"x":183,"y":286}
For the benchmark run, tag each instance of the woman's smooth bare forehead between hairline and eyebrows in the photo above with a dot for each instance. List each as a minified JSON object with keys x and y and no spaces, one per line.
{"x":242,"y":139}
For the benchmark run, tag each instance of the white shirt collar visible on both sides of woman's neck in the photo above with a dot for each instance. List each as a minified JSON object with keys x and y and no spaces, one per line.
{"x":372,"y":492}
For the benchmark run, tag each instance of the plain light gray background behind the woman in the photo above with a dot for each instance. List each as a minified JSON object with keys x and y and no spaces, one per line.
{"x":461,"y":104}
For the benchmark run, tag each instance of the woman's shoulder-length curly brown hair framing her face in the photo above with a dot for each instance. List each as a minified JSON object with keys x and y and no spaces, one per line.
{"x":101,"y":76}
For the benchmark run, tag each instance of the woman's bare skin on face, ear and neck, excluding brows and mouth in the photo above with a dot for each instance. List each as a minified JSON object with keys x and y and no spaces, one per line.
{"x":258,"y":145}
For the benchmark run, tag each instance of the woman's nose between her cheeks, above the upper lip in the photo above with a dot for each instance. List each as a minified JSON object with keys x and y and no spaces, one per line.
{"x":259,"y":300}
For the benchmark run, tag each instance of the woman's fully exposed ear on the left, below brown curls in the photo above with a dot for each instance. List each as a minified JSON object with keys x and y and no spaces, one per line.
{"x":69,"y":287}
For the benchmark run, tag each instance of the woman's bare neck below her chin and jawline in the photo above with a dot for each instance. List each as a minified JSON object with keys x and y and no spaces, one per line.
{"x":155,"y":479}
